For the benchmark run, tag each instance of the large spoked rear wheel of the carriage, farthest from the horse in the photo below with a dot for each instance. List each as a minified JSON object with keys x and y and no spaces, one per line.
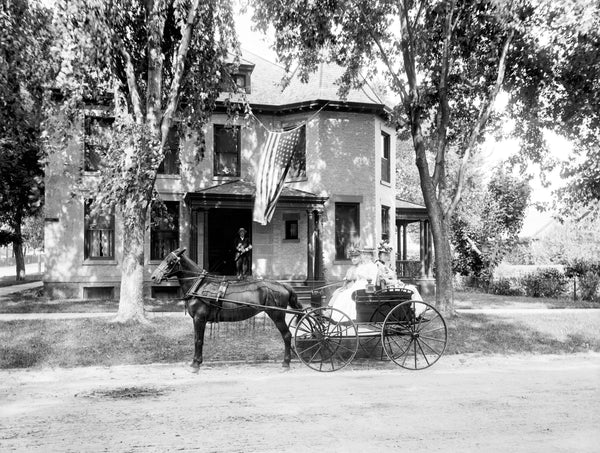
{"x":414,"y":335}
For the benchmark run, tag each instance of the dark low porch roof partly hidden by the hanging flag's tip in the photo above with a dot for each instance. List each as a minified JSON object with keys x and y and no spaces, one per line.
{"x":240,"y":194}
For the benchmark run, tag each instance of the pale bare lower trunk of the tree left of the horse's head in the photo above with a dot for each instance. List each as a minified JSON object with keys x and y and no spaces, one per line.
{"x":131,"y":300}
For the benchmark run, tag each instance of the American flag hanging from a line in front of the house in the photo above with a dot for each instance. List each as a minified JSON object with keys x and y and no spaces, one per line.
{"x":272,"y":169}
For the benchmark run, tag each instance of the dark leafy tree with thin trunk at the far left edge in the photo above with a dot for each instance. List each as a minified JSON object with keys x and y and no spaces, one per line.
{"x":25,"y":40}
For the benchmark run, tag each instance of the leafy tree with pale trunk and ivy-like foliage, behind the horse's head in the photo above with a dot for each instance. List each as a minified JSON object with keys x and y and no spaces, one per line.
{"x":153,"y":64}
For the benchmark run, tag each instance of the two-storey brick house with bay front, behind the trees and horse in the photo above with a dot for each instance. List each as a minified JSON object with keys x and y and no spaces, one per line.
{"x":340,"y":192}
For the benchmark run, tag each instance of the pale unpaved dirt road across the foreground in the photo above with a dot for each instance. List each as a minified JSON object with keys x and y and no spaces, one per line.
{"x":464,"y":403}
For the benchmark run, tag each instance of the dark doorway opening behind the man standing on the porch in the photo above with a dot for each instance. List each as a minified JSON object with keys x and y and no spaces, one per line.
{"x":223,"y":226}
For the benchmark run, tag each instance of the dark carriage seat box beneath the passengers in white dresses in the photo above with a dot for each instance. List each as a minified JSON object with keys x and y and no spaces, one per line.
{"x":373,"y":306}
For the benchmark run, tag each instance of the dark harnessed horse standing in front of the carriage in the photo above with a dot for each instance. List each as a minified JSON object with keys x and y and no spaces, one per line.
{"x":259,"y":294}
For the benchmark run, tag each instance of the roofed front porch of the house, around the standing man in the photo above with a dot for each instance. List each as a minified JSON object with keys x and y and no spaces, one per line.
{"x":288,"y":248}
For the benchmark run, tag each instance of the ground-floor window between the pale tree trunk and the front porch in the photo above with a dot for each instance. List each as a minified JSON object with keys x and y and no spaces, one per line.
{"x":164,"y":230}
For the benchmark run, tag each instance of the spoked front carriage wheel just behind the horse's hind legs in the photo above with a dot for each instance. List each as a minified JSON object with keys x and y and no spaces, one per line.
{"x":326,"y":339}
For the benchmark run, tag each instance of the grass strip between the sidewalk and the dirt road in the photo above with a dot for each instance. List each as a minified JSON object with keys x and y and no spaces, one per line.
{"x":97,"y":341}
